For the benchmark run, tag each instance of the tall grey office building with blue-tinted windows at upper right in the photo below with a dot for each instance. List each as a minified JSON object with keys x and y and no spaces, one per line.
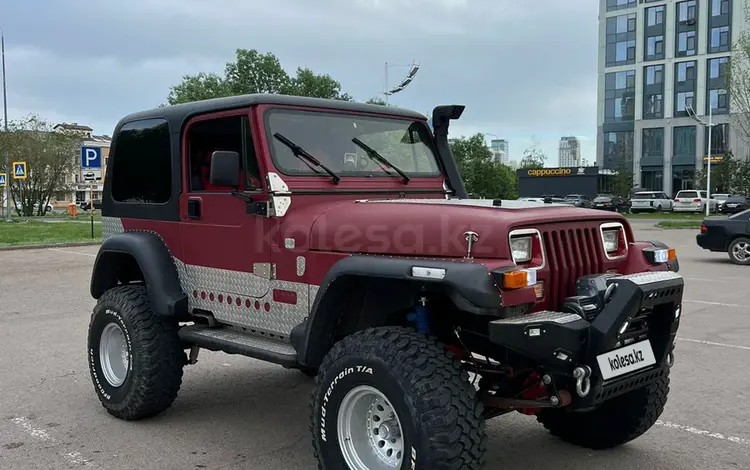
{"x":657,"y":60}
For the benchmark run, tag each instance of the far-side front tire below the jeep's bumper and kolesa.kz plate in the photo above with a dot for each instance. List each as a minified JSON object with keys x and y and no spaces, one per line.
{"x":615,"y":422}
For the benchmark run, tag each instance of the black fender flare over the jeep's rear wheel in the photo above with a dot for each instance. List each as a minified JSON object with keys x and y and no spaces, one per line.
{"x":156,"y":264}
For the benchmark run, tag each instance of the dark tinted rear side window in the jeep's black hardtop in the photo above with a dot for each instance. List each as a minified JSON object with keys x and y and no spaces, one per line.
{"x":141,"y":163}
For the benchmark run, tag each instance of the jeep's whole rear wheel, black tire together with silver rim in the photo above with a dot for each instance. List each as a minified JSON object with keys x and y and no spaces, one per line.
{"x":150,"y":374}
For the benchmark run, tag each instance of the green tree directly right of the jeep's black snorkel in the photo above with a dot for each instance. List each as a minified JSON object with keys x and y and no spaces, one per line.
{"x":483,"y":176}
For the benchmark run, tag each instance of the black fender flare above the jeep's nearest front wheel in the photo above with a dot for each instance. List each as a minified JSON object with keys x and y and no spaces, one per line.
{"x":470,"y":285}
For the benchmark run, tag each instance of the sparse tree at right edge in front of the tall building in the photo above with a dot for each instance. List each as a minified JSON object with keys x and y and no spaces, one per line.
{"x":738,"y":81}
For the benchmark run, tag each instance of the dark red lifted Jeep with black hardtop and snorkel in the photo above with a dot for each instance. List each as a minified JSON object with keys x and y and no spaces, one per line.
{"x":337,"y":238}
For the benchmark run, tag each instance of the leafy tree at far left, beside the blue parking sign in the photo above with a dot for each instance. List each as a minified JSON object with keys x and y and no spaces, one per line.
{"x":49,"y":154}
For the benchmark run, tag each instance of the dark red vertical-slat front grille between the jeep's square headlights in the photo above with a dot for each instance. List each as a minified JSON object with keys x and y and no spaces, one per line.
{"x":570,"y":253}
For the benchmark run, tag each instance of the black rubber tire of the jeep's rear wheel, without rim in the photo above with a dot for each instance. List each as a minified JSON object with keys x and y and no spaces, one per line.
{"x":158,"y":355}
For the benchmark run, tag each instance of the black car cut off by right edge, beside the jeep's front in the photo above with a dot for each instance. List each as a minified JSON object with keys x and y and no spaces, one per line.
{"x":727,"y":234}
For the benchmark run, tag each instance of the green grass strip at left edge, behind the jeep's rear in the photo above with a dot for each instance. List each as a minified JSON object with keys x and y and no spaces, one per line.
{"x":40,"y":233}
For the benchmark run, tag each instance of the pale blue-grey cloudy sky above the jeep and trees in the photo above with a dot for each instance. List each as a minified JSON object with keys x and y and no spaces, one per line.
{"x":524,"y":70}
